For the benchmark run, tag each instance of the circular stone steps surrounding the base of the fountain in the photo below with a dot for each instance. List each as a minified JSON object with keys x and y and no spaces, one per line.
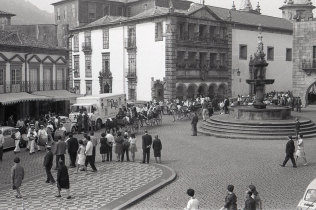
{"x":225,"y":126}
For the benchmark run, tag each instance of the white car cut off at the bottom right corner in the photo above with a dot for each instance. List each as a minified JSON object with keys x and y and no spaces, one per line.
{"x":309,"y":199}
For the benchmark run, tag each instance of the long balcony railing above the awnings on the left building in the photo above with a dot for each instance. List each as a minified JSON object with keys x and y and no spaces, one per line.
{"x":8,"y":87}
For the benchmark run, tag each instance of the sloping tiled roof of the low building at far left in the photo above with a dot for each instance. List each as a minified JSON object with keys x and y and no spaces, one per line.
{"x":14,"y":38}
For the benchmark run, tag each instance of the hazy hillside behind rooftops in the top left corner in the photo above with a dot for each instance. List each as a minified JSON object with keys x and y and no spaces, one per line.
{"x":26,"y":12}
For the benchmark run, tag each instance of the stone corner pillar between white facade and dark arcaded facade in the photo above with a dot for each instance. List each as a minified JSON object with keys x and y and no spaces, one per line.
{"x":171,"y":59}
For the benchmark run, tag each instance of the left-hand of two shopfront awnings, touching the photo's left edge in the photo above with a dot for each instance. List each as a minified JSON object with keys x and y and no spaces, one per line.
{"x":13,"y":98}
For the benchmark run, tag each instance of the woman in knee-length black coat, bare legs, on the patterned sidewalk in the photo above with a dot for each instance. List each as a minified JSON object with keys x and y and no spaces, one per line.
{"x":63,"y":179}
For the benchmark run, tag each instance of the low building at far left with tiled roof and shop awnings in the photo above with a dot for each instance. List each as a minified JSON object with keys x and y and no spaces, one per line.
{"x":34,"y":77}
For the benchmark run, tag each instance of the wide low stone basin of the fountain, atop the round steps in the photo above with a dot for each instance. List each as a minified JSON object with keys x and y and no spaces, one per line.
{"x":270,"y":113}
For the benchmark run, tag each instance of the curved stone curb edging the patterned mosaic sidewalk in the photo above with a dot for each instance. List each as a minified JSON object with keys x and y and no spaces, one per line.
{"x":144,"y":194}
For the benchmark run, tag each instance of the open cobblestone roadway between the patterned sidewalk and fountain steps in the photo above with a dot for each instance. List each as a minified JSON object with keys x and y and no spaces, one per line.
{"x":209,"y":164}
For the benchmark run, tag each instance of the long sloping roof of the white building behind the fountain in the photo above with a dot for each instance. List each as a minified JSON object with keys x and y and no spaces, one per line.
{"x":248,"y":18}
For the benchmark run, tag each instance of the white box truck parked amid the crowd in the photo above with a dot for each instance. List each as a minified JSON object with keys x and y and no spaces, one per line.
{"x":102,"y":106}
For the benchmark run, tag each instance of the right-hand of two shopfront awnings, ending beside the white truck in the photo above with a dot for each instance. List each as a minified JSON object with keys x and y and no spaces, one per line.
{"x":57,"y":95}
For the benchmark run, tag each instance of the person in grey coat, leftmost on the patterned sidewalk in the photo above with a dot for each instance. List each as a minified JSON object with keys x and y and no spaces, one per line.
{"x":17,"y":176}
